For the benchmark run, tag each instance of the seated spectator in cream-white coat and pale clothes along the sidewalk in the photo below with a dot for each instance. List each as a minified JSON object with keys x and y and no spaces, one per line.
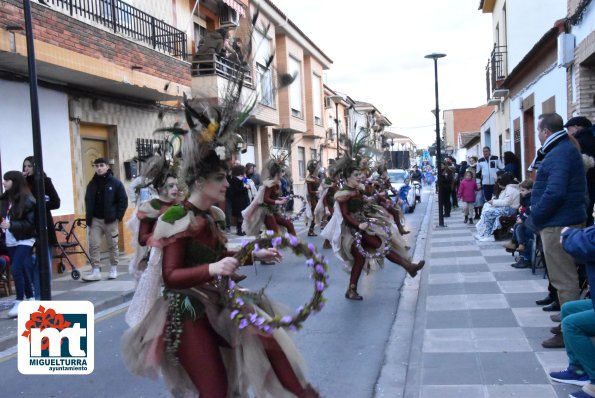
{"x":506,"y":204}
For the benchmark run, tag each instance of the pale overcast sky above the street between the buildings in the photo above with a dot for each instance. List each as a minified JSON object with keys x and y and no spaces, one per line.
{"x":378,"y":48}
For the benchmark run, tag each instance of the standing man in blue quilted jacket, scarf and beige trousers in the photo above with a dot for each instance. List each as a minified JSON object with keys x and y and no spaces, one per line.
{"x":558,"y":201}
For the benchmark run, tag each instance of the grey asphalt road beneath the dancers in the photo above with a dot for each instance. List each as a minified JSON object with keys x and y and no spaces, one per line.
{"x":343,"y":346}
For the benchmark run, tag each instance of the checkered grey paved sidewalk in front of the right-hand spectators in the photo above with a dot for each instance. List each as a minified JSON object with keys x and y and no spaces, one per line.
{"x":477,"y":330}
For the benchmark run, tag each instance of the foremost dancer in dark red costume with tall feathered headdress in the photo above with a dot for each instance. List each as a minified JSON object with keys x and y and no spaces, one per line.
{"x":189,"y":335}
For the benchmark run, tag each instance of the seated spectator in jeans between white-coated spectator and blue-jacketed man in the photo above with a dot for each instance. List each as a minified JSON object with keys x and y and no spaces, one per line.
{"x":522,"y":234}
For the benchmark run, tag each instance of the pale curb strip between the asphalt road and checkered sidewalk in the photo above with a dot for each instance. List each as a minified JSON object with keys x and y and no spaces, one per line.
{"x":393,"y":376}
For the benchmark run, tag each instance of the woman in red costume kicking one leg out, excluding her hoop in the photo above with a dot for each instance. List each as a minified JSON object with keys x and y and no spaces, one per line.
{"x":349,"y":218}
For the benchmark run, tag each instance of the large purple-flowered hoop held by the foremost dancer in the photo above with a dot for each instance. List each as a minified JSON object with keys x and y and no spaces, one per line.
{"x":243,"y":315}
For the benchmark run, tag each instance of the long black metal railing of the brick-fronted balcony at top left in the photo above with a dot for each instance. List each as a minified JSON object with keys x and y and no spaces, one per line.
{"x":129,"y":21}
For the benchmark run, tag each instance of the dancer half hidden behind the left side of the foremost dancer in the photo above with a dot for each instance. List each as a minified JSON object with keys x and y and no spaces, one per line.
{"x":161,"y":174}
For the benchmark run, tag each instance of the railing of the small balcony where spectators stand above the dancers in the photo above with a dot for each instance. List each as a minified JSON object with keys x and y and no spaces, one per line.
{"x":212,"y":64}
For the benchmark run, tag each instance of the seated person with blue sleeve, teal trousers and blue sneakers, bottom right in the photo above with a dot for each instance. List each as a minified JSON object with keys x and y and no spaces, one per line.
{"x":578,"y":318}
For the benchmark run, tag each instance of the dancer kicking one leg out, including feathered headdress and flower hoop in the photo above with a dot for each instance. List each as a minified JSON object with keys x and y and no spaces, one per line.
{"x":362,"y":235}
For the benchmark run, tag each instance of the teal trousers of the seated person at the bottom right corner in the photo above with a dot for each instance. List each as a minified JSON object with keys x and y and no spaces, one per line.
{"x":578,"y":327}
